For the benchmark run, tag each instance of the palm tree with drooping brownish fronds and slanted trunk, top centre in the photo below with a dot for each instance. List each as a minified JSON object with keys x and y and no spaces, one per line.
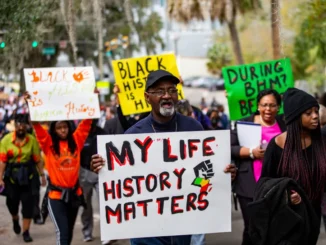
{"x":223,"y":10}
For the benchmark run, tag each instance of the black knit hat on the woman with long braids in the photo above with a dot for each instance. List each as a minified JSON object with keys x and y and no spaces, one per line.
{"x":296,"y":102}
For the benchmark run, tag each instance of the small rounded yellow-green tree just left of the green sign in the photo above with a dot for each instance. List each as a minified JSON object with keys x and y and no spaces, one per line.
{"x":218,"y":56}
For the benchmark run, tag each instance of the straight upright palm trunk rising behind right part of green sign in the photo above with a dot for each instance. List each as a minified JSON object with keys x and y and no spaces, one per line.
{"x":275,"y":22}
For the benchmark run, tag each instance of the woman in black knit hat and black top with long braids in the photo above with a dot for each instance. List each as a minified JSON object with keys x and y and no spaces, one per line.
{"x":299,"y":153}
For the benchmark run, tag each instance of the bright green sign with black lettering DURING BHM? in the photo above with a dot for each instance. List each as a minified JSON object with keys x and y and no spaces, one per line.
{"x":244,"y":82}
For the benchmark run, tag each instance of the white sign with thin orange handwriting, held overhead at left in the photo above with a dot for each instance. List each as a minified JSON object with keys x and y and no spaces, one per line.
{"x":65,"y":93}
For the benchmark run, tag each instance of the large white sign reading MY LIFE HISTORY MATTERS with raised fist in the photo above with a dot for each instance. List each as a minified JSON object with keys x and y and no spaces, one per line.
{"x":164,"y":184}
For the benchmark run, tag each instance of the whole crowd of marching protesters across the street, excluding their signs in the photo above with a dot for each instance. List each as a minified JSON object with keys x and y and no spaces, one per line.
{"x":291,"y":155}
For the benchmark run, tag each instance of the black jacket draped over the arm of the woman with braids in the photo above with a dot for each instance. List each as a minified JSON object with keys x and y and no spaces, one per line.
{"x":275,"y":221}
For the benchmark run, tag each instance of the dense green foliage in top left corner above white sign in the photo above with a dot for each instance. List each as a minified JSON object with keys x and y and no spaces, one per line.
{"x":21,"y":23}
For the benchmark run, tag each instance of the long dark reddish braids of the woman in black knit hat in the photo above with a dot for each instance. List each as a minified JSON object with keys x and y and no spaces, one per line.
{"x":295,"y":164}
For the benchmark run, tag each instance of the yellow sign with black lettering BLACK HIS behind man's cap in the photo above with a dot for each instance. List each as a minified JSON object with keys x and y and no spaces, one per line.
{"x":131,"y":75}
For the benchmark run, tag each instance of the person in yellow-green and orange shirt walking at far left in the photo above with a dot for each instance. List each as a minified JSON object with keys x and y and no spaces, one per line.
{"x":21,"y":166}
